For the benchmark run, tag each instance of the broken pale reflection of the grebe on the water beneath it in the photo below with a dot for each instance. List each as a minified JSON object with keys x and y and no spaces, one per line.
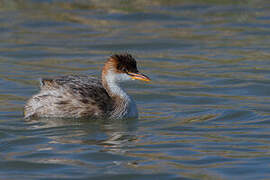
{"x":109,"y":135}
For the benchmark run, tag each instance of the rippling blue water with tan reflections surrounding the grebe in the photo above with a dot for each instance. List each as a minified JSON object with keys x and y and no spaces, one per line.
{"x":205,"y":114}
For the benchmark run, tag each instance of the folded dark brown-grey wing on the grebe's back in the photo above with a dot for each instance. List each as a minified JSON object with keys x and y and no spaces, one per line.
{"x":86,"y":90}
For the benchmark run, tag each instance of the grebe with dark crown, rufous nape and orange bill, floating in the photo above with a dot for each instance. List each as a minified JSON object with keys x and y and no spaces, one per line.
{"x":78,"y":96}
